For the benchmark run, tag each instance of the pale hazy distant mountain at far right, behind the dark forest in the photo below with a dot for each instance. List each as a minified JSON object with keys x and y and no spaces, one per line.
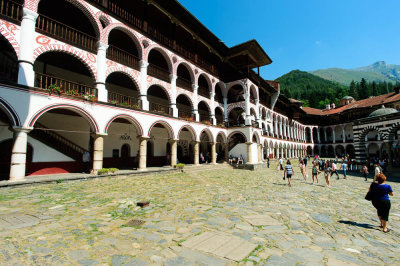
{"x":378,"y":72}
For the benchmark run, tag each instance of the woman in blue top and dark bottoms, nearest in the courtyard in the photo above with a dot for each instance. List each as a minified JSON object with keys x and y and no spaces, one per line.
{"x":380,"y":199}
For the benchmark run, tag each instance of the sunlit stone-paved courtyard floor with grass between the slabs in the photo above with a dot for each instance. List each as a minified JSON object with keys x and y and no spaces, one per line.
{"x":207,"y":217}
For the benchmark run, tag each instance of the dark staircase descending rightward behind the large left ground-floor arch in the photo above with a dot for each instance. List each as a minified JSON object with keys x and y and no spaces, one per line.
{"x":57,"y":142}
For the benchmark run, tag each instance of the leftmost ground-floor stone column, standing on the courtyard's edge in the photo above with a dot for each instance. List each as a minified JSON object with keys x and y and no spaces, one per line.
{"x":18,"y":153}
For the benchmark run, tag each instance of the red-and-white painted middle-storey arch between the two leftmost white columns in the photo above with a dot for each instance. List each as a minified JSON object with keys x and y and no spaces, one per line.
{"x":88,"y":59}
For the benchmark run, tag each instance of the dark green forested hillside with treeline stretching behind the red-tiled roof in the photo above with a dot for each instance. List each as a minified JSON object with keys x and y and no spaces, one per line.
{"x":317,"y":92}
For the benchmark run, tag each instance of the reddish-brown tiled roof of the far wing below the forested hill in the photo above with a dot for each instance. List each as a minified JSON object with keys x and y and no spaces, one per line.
{"x":373,"y":101}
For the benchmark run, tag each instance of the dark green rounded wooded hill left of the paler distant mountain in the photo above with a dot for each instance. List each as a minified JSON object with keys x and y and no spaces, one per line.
{"x":312,"y":90}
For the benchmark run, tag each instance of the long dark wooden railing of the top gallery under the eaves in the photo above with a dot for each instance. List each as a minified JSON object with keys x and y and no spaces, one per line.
{"x":144,"y":26}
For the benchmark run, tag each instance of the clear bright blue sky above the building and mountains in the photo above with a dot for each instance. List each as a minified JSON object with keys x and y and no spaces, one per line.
{"x":307,"y":34}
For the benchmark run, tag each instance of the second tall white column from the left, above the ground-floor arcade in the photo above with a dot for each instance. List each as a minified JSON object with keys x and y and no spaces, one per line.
{"x":102,"y":92}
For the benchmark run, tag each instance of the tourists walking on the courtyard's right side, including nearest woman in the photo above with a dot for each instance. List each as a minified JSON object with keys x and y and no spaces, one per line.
{"x":378,"y":190}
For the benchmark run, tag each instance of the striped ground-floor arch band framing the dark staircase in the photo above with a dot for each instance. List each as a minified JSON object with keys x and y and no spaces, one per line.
{"x":88,"y":117}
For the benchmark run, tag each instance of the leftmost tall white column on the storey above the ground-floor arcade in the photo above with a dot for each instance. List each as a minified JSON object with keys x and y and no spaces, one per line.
{"x":26,"y":75}
